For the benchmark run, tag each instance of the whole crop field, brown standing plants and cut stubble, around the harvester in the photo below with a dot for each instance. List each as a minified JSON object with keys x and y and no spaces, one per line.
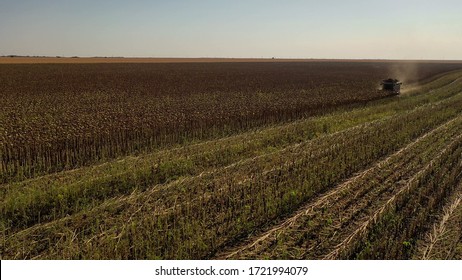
{"x":230,"y":160}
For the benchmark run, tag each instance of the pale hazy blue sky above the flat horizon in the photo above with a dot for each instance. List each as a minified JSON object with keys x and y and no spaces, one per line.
{"x":236,"y":28}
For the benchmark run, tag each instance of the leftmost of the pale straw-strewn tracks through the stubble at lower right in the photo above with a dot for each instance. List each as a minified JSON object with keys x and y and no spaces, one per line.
{"x":341,"y":191}
